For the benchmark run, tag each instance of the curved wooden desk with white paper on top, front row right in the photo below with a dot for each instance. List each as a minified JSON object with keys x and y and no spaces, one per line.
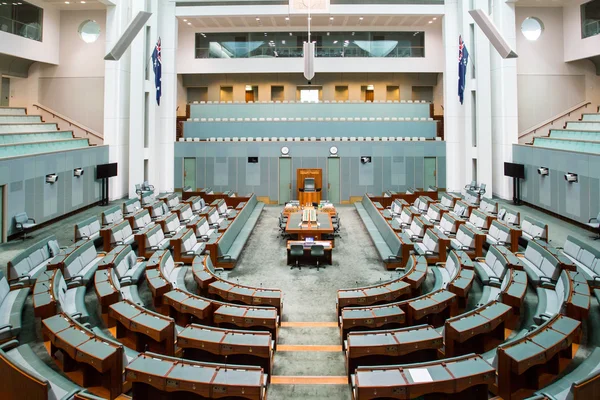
{"x":466,"y":377}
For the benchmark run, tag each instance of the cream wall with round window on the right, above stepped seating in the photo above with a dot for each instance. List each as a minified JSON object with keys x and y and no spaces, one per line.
{"x":548,"y":85}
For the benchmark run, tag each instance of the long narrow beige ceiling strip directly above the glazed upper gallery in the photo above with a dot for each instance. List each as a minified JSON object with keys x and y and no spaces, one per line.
{"x":300,"y":21}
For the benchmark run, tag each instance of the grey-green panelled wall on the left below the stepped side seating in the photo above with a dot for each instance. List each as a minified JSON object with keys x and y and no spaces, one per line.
{"x":28,"y":191}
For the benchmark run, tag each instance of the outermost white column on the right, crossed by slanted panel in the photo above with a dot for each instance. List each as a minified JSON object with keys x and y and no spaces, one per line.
{"x":505,"y":122}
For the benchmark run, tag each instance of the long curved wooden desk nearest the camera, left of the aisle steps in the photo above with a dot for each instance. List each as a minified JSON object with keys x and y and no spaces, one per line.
{"x":156,"y":376}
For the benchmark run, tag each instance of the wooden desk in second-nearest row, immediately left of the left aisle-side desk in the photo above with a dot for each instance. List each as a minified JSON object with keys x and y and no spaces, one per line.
{"x":144,"y":327}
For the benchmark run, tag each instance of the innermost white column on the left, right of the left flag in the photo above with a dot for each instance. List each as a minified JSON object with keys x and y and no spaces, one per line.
{"x":166,"y":115}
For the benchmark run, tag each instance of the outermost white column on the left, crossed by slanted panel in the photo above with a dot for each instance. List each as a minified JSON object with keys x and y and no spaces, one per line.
{"x":116,"y":100}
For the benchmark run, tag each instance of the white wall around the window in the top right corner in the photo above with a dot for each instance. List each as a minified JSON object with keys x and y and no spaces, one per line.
{"x":577,"y":48}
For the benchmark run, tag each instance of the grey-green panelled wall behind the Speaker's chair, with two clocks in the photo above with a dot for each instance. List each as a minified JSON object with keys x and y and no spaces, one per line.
{"x":392,"y":166}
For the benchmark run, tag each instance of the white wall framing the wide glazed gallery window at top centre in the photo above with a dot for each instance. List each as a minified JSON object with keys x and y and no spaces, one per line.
{"x":432,"y":62}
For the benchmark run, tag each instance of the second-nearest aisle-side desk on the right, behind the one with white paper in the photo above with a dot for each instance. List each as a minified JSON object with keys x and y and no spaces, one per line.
{"x":394,"y":346}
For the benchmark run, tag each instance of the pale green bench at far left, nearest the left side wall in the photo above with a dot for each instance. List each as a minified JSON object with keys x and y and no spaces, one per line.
{"x":31,"y":262}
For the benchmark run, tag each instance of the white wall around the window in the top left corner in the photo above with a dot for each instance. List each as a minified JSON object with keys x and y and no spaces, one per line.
{"x":45,"y":51}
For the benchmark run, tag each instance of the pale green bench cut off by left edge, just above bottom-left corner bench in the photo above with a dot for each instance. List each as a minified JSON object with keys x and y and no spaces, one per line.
{"x":12,"y":301}
